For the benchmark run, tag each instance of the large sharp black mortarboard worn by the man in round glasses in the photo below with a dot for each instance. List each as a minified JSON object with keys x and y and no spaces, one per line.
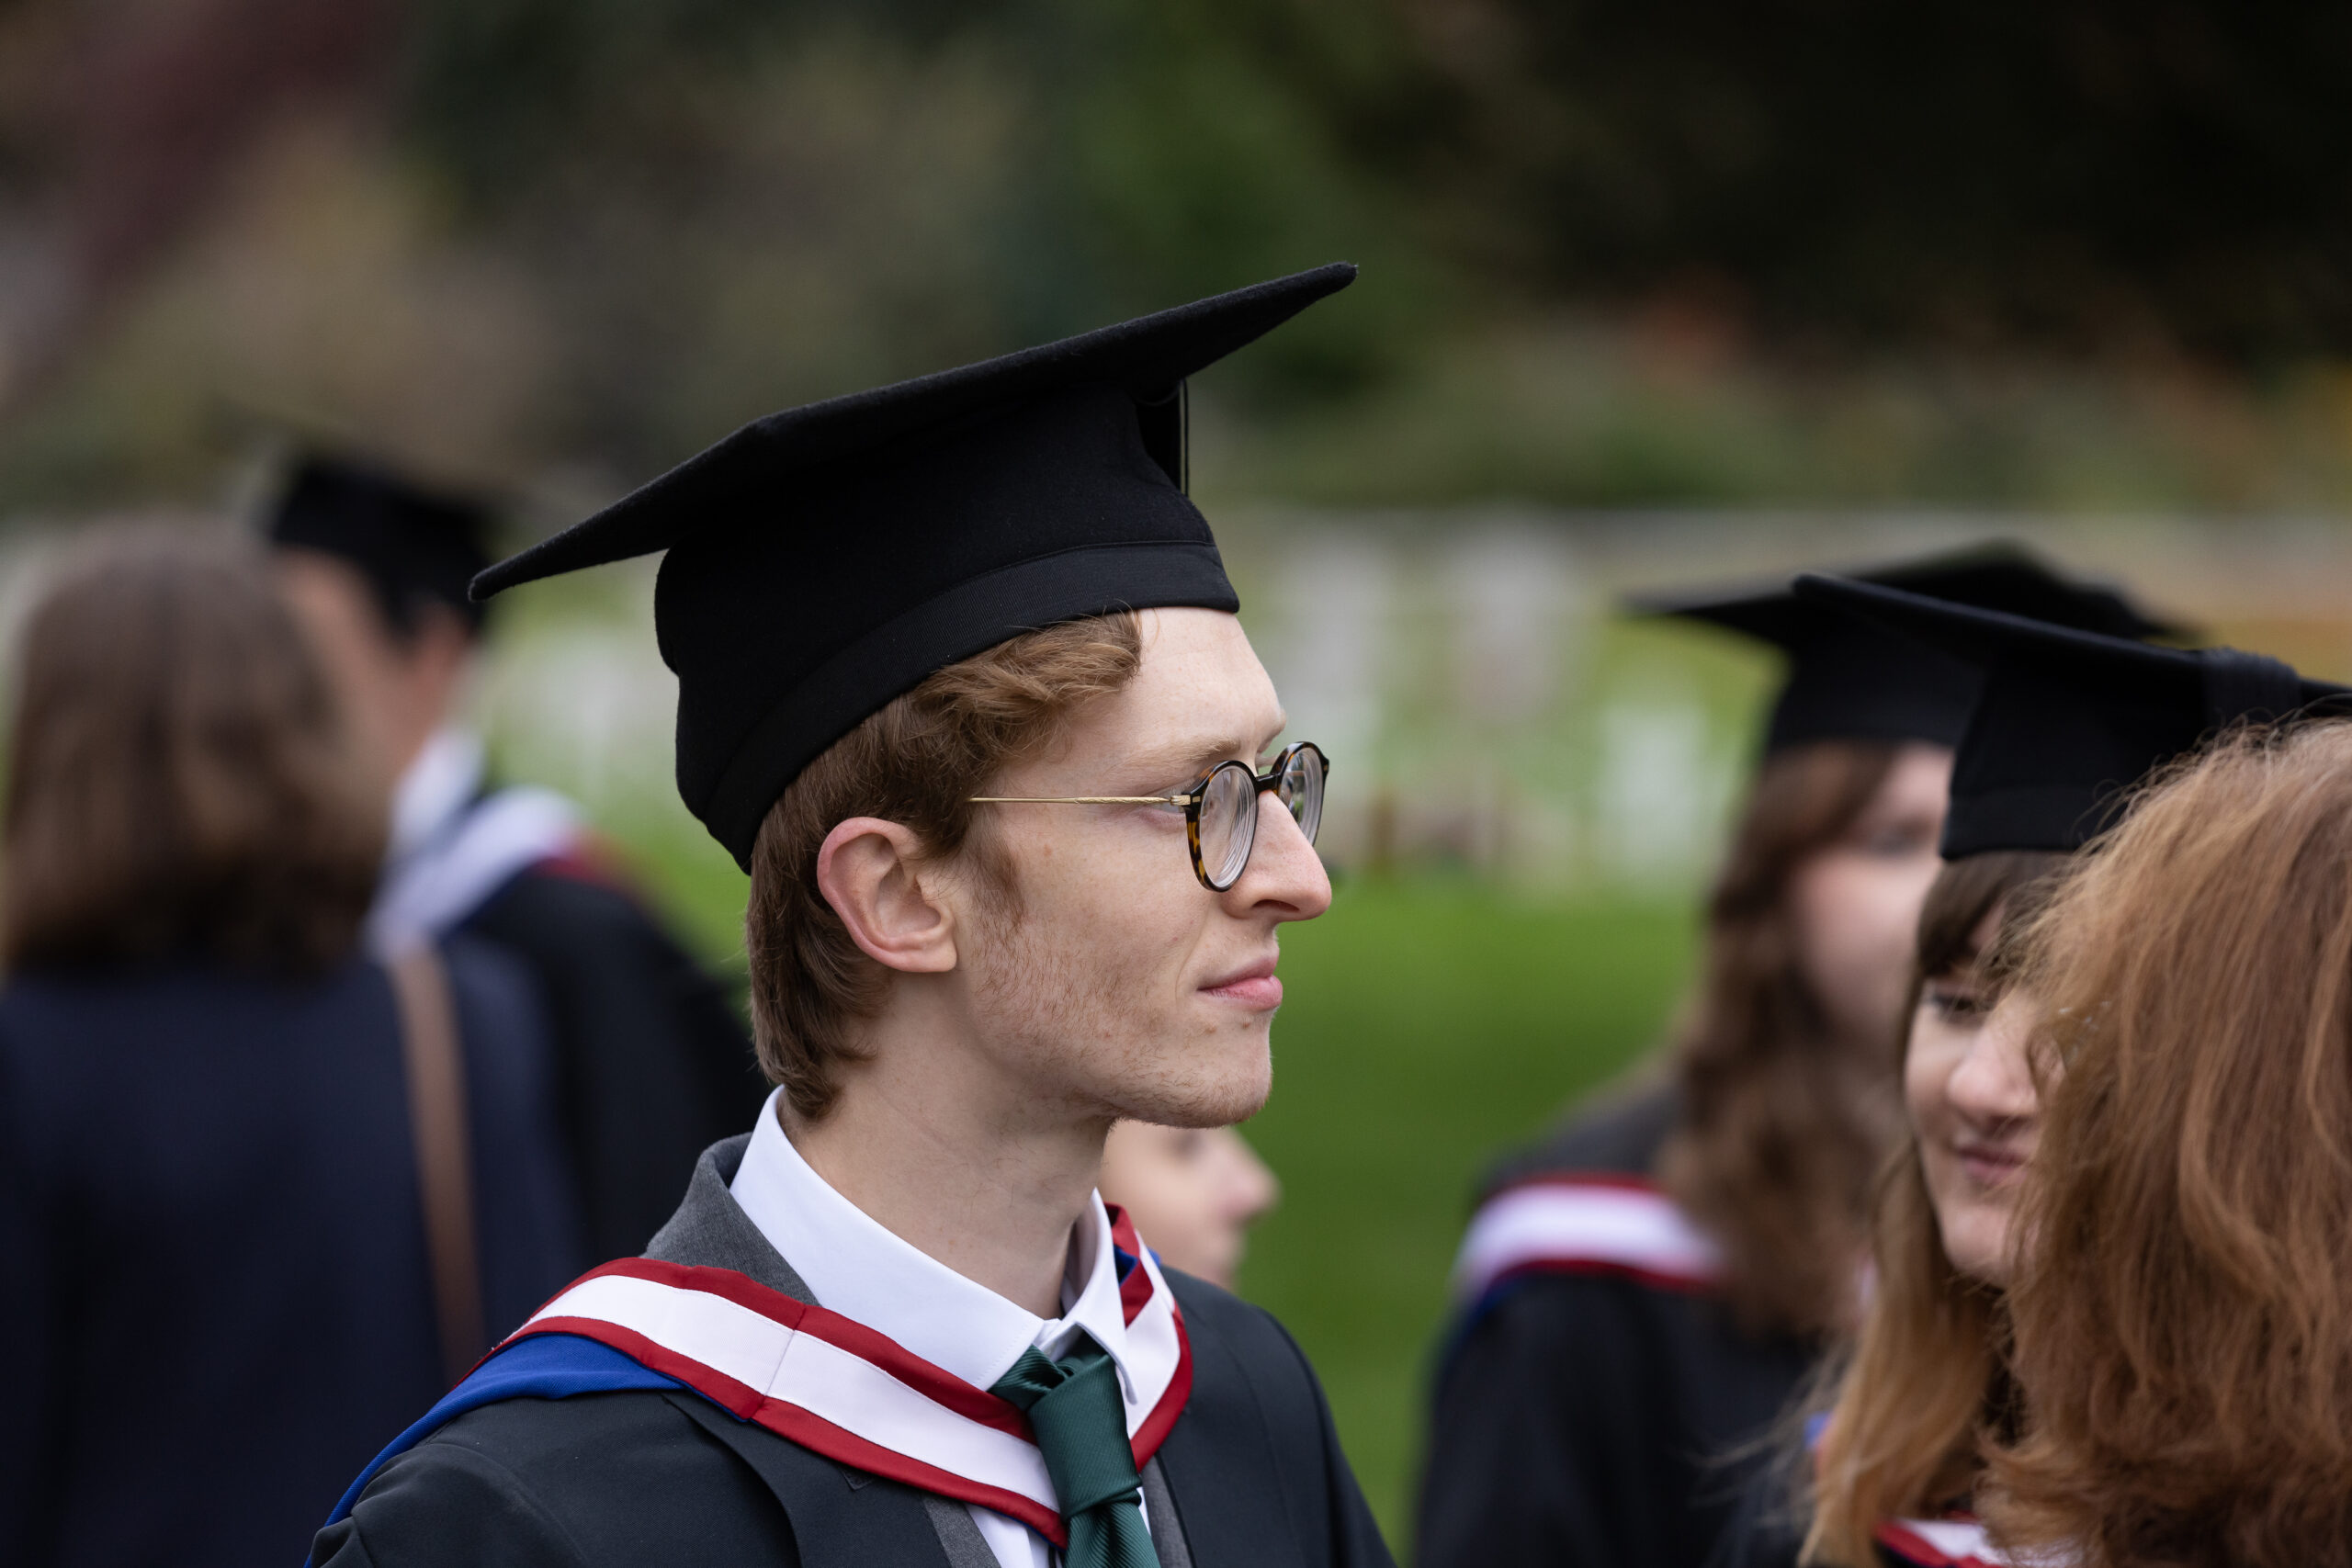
{"x":829,"y":558}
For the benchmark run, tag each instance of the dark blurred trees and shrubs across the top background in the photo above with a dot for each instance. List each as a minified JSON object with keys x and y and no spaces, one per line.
{"x":2047,"y":255}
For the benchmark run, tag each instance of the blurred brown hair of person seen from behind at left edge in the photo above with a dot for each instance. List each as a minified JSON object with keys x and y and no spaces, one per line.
{"x":180,"y":784}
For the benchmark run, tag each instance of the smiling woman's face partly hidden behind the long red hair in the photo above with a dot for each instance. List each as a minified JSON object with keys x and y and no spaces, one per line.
{"x":1970,"y":1090}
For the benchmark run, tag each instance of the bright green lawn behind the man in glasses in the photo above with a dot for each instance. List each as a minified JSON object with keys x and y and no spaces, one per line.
{"x":1429,"y":1026}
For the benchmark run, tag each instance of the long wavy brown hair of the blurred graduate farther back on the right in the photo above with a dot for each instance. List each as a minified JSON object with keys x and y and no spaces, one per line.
{"x":1777,"y":1139}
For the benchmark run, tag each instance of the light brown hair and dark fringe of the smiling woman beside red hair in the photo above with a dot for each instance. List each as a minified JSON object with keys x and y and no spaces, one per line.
{"x":1925,"y":1376}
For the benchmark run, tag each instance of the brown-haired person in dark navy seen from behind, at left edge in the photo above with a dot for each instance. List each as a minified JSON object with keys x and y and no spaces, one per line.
{"x":218,"y":1294}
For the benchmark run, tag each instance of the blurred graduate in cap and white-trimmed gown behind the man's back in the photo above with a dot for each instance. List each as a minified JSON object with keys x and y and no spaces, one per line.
{"x":650,"y":1052}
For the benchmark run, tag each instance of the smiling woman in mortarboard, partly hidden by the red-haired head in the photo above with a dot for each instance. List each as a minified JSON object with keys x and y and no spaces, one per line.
{"x":2057,"y":742}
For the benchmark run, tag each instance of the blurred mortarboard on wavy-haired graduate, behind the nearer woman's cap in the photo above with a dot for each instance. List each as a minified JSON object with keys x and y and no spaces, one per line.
{"x":1855,"y":681}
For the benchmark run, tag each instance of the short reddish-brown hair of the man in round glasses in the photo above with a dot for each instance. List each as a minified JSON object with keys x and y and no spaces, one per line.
{"x":916,"y":763}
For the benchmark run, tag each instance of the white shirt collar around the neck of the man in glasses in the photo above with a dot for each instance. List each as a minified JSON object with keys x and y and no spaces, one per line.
{"x":874,"y":1278}
